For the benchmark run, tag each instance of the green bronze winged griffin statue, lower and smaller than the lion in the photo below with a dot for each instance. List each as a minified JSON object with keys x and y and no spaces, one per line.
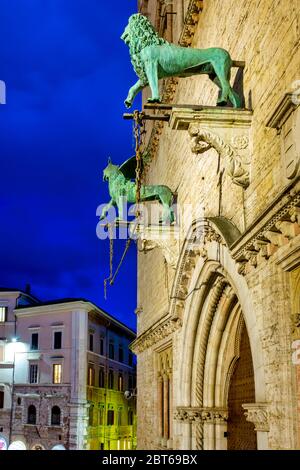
{"x":122,"y":188}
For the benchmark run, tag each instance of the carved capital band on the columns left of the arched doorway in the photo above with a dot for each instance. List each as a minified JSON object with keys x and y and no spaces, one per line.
{"x":203,"y":415}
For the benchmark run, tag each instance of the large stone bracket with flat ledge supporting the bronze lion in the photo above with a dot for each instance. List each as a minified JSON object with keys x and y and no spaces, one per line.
{"x":225,"y":130}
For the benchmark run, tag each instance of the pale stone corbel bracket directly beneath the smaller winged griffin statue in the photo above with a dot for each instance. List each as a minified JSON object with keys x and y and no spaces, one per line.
{"x":164,"y":238}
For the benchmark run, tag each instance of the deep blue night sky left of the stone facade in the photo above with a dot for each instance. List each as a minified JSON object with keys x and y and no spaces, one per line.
{"x":67,"y":74}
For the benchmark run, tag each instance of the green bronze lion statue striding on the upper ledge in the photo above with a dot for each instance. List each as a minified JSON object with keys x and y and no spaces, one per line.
{"x":153,"y":58}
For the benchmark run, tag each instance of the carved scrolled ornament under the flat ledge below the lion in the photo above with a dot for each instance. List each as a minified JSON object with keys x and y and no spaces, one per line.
{"x":237,"y":166}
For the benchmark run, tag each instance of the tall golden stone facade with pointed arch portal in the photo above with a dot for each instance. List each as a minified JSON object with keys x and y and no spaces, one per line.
{"x":237,"y":260}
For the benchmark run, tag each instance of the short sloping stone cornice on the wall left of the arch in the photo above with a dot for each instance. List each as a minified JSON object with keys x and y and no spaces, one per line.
{"x":159,"y":331}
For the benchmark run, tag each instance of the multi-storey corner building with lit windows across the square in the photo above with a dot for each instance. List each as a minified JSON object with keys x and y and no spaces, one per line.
{"x":64,"y":368}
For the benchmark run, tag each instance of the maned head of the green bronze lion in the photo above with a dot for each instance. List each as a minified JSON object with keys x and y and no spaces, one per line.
{"x":138,"y":34}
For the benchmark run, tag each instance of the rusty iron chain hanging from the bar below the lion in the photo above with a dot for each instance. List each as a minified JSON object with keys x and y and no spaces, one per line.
{"x":138,"y":132}
